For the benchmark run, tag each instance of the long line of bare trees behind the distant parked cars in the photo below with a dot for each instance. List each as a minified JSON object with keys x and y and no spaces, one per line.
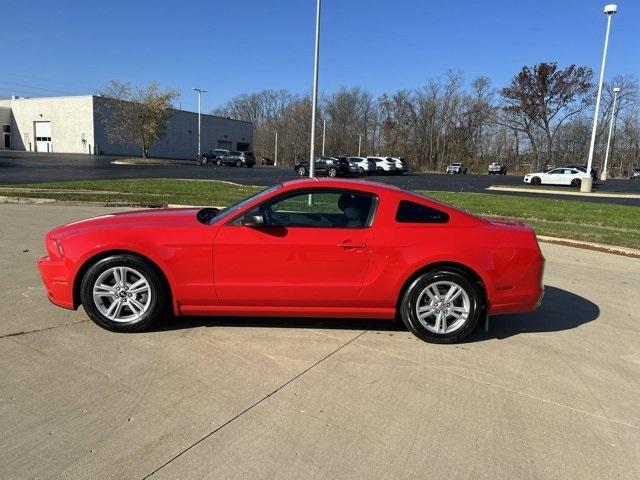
{"x":543,"y":117}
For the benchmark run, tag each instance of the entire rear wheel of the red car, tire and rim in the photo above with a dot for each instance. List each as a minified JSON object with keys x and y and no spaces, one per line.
{"x":441,"y":306}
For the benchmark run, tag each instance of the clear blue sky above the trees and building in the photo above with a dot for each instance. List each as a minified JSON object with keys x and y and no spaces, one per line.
{"x":238,"y":46}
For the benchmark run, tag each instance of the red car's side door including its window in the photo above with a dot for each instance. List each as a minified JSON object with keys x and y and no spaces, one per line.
{"x":308,"y":253}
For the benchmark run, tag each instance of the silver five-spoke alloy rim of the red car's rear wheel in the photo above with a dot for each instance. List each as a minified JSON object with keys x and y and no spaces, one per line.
{"x":443,"y":307}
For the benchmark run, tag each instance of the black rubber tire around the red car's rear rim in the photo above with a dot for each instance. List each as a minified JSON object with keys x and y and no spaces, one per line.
{"x":414,"y":292}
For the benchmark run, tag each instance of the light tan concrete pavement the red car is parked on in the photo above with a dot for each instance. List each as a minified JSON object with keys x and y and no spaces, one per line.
{"x":553,"y":394}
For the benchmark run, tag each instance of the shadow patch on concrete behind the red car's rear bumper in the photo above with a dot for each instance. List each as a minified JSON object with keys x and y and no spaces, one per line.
{"x":560,"y":310}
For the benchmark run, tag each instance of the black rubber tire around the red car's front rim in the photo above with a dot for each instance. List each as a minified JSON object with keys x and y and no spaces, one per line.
{"x":158,"y":300}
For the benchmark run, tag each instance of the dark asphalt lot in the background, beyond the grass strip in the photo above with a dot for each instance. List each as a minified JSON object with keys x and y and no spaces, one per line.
{"x":30,"y":167}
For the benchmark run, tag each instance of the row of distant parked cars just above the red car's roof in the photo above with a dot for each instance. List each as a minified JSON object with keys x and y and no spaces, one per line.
{"x":354,"y":166}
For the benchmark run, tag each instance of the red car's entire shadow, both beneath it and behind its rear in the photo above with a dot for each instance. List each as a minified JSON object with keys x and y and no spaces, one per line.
{"x":560,"y":310}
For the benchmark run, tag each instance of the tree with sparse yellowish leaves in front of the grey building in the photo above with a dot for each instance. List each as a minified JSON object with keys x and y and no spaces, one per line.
{"x":141,"y":114}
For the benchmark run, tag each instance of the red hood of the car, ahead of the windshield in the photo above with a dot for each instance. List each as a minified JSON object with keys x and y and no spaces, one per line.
{"x":137,"y":218}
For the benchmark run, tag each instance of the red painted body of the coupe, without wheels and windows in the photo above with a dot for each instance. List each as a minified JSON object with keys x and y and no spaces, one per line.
{"x":223,"y":269}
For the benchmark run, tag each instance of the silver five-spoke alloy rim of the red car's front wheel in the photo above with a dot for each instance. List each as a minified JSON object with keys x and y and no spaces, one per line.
{"x":122,"y":294}
